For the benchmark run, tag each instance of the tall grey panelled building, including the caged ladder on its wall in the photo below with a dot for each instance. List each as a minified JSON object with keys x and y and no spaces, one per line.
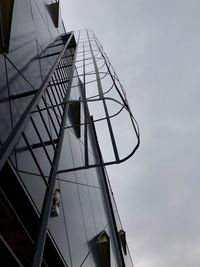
{"x":59,"y":100}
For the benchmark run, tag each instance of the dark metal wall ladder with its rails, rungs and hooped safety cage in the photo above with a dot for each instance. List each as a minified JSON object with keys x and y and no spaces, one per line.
{"x":59,"y":79}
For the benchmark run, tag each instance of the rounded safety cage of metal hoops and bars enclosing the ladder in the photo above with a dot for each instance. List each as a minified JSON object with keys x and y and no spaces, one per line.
{"x":104,"y":105}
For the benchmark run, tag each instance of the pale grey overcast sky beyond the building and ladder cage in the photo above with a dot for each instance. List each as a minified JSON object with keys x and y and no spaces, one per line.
{"x":154,"y":46}
